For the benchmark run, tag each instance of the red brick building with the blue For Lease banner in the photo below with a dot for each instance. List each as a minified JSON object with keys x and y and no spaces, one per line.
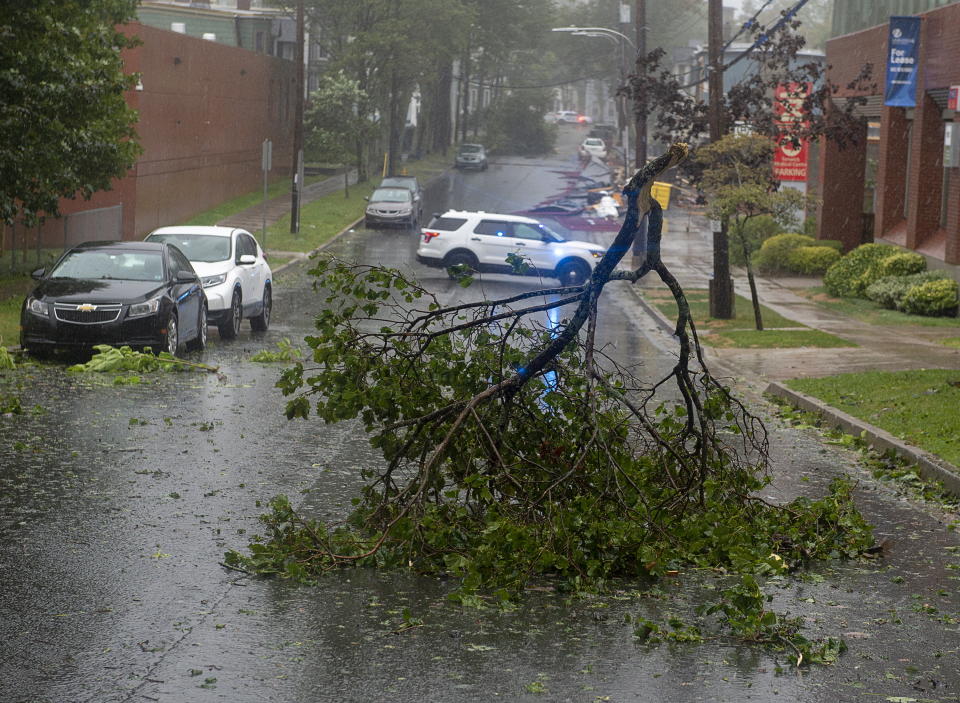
{"x":915,"y":201}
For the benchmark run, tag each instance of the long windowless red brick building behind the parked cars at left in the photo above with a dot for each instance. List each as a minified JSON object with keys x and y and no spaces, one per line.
{"x":205,"y":109}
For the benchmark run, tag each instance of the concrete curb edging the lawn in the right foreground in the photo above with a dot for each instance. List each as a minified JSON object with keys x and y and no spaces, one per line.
{"x":930,"y":467}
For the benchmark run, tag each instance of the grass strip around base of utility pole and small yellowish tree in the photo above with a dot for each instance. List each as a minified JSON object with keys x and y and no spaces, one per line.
{"x":779,"y":332}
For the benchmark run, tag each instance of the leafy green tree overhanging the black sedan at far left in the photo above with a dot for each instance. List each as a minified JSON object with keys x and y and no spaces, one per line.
{"x":65,"y":128}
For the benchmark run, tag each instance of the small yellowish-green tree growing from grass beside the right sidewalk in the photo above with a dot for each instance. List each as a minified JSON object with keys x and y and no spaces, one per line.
{"x":737,"y":175}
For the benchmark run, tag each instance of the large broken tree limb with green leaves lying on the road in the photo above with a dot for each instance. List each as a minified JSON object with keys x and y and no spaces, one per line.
{"x":515,"y":450}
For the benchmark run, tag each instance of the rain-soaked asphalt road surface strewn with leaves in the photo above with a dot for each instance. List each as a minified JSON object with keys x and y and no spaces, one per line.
{"x":117,"y":503}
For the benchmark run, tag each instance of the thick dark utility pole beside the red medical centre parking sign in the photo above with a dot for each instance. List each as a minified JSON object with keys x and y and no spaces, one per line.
{"x":721,"y":285}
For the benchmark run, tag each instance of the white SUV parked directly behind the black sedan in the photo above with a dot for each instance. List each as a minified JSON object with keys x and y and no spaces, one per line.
{"x":235,"y":275}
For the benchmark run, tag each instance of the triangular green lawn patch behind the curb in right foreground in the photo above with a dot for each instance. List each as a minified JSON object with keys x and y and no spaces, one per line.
{"x":919,"y":406}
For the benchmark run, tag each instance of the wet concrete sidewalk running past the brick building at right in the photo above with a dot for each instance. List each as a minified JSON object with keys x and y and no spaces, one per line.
{"x":687,"y":250}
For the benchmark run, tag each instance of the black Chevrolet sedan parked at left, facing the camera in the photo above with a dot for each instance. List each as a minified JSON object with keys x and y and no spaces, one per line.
{"x":141,"y":294}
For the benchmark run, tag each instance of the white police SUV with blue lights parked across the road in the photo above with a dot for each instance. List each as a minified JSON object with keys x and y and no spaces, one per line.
{"x":483,"y":240}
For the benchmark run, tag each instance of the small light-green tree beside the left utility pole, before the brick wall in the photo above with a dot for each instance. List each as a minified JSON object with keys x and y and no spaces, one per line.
{"x":334,"y":122}
